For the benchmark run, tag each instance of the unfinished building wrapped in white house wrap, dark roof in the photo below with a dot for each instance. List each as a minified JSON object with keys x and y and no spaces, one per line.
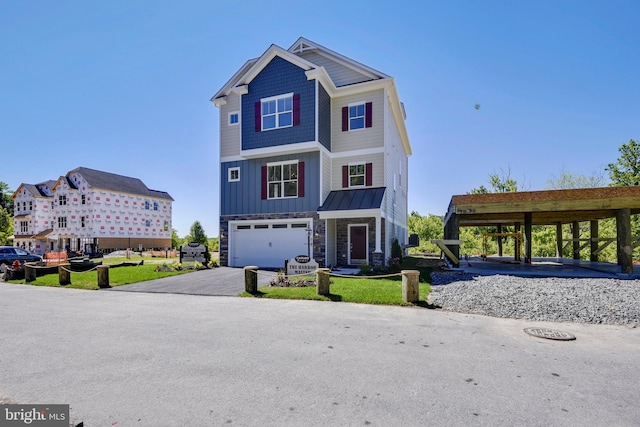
{"x":89,"y":210}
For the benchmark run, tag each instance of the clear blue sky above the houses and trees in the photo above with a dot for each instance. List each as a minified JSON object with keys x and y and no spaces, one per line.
{"x":124,"y":87}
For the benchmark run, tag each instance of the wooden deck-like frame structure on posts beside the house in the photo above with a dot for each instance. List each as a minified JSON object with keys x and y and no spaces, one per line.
{"x":551,"y":207}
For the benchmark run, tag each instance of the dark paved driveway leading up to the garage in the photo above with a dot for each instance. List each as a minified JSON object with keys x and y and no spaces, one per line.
{"x":221,"y":281}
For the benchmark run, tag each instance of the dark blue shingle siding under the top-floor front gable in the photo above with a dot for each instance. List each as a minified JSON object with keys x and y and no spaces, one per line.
{"x":277,"y":78}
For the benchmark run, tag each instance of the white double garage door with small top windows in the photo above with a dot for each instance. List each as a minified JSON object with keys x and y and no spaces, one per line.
{"x":266,"y":245}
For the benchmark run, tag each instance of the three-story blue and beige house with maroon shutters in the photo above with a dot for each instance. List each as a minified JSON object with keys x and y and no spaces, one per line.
{"x":313,"y":160}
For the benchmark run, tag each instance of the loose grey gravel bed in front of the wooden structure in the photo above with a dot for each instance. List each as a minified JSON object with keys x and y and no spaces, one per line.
{"x":605,"y":301}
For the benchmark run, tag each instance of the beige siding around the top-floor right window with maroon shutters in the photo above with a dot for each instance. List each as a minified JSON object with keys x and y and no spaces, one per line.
{"x":361,"y":138}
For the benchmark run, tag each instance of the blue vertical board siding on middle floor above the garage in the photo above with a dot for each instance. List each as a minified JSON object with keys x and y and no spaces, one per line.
{"x":244,"y":197}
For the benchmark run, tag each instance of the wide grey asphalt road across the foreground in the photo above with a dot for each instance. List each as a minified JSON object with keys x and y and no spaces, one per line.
{"x":158,"y":359}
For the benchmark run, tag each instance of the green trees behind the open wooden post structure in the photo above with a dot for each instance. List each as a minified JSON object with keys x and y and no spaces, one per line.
{"x":625,"y":171}
